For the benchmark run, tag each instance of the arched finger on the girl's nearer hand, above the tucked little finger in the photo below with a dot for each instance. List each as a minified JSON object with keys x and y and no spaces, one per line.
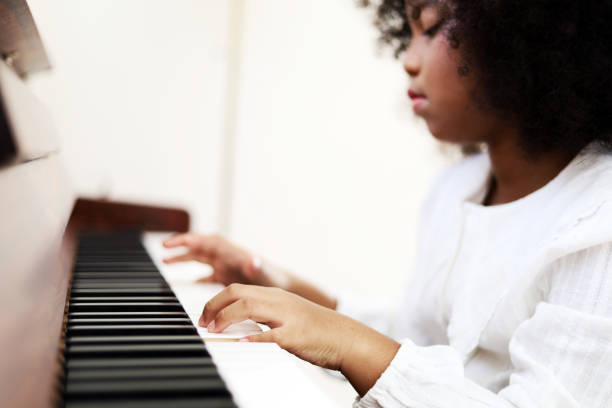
{"x":243,"y":309}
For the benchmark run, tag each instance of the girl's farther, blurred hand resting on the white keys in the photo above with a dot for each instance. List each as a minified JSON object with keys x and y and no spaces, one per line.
{"x":230,"y":263}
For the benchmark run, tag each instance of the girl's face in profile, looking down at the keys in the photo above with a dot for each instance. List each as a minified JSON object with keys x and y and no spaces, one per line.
{"x":439,"y":94}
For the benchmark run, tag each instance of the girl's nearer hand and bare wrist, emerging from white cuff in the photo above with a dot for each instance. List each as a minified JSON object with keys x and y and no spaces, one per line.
{"x":312,"y":332}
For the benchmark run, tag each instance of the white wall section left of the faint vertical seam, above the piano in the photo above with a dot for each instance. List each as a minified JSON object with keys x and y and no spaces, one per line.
{"x":138,"y":92}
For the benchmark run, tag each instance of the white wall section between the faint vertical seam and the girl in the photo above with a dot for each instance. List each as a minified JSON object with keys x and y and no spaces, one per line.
{"x":331,"y":165}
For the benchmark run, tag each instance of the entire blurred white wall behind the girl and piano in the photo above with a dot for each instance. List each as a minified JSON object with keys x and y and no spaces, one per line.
{"x":274,"y":122}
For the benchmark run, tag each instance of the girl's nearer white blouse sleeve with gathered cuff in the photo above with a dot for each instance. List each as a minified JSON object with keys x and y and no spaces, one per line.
{"x":561,"y":355}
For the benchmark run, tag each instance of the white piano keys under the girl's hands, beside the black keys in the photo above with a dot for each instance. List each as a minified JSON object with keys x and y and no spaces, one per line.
{"x":259,"y":375}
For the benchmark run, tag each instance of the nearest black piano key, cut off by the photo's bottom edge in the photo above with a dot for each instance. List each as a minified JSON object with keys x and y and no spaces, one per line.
{"x":176,"y":402}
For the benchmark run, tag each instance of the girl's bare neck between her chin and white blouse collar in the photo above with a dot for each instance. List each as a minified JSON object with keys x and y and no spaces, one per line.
{"x":516,"y":174}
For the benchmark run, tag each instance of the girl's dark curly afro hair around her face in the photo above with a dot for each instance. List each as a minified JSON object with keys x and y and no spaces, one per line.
{"x":544,"y":64}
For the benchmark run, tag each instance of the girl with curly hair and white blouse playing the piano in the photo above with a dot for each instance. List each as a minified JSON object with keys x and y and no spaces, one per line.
{"x":511,"y":301}
